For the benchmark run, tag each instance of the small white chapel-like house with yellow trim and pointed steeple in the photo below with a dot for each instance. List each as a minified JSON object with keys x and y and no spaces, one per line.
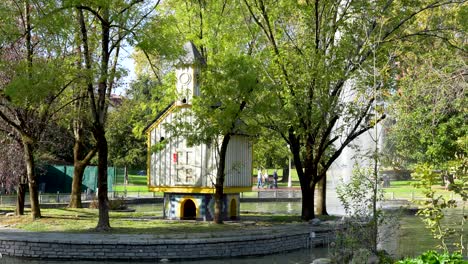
{"x":186,"y":174}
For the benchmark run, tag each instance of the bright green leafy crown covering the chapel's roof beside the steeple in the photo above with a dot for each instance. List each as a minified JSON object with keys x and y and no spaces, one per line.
{"x":228,"y":92}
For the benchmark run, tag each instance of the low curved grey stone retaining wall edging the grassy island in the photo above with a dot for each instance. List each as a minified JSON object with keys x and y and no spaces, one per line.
{"x":154,"y":249}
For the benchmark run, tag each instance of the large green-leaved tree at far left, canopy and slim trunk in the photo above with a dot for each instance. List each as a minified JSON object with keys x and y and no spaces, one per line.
{"x":34,"y":75}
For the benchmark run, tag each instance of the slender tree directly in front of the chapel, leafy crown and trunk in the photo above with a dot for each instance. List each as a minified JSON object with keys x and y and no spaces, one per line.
{"x":228,"y":89}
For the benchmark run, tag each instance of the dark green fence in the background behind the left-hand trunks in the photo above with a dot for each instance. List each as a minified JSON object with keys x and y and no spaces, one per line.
{"x":58,"y":178}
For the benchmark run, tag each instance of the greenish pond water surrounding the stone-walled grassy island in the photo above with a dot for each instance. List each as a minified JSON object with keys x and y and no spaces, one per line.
{"x":408,"y":238}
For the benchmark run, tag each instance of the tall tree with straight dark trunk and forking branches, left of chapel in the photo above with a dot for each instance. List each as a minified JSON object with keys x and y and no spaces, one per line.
{"x":111,"y":24}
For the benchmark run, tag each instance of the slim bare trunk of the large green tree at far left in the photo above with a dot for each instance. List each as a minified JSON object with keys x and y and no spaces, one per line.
{"x":32,"y":181}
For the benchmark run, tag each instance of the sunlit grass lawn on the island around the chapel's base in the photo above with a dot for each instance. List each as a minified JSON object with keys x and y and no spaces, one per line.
{"x":85,"y":220}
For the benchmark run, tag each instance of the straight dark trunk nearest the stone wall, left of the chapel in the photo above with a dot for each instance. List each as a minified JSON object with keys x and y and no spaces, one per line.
{"x":101,"y":143}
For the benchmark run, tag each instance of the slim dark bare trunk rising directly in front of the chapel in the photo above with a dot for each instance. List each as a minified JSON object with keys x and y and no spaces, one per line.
{"x":219,"y":185}
